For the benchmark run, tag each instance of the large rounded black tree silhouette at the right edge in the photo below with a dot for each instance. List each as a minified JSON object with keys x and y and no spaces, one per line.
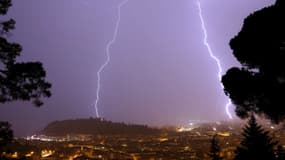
{"x":259,"y":86}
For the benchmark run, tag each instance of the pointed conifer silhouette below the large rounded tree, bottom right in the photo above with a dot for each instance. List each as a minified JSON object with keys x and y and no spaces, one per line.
{"x":256,"y":143}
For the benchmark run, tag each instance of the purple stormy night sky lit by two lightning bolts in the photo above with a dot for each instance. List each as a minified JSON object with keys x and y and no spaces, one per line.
{"x":160,"y":72}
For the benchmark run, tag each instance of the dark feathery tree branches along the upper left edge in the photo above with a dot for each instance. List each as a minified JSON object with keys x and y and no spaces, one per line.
{"x":18,"y":81}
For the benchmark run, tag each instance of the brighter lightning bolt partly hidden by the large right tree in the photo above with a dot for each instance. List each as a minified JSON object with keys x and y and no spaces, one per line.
{"x":220,"y":70}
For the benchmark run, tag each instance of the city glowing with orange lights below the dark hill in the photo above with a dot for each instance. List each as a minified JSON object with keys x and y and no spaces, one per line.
{"x":184,"y":142}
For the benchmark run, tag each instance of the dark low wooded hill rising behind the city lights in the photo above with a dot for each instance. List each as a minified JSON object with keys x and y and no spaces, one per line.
{"x":96,"y":126}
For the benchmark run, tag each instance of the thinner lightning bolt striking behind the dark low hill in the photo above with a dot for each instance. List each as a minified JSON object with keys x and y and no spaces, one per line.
{"x":108,"y":47}
